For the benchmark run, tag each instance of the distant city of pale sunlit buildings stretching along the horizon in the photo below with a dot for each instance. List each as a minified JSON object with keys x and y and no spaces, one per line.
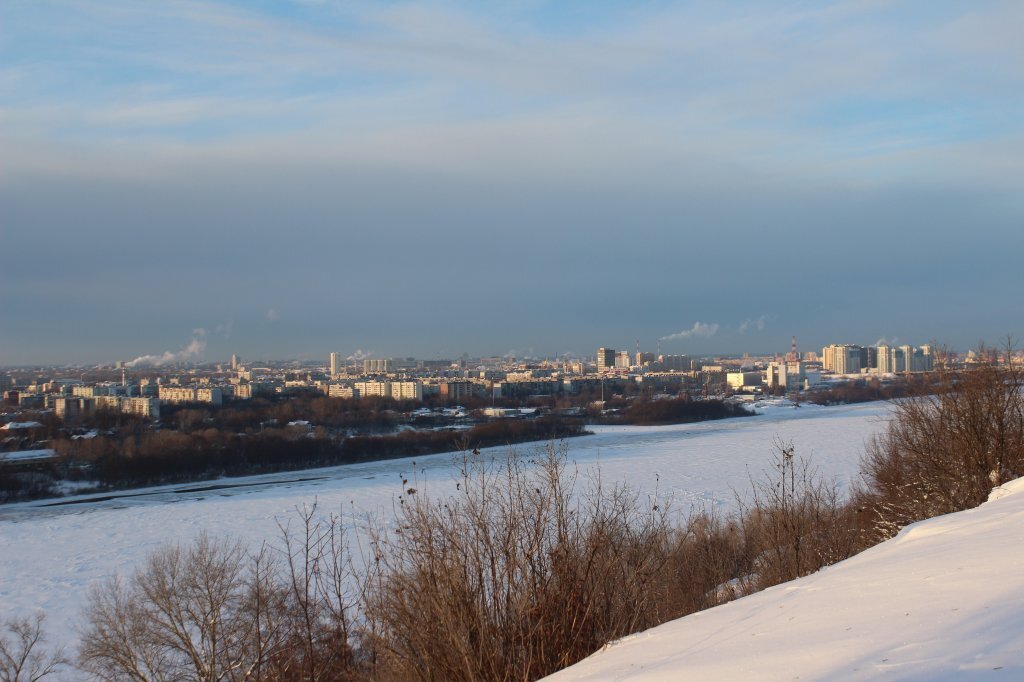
{"x":142,"y":390}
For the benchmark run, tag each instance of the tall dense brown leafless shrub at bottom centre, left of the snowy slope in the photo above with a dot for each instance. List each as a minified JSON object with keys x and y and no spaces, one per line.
{"x":518,"y":576}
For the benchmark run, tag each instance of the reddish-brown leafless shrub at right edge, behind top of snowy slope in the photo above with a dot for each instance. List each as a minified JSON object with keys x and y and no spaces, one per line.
{"x":950,"y":445}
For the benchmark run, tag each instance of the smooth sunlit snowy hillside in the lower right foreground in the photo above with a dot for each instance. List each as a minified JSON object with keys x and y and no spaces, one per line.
{"x":943,"y":601}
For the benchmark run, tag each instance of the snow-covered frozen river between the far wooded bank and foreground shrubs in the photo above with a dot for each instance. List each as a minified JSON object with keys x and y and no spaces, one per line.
{"x":51,"y":555}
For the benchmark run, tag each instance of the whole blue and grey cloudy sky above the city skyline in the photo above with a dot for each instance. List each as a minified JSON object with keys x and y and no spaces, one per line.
{"x":284,"y":180}
